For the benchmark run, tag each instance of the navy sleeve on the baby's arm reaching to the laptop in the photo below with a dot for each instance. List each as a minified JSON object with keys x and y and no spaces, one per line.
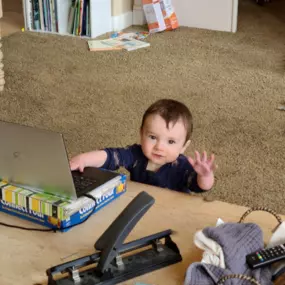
{"x":119,"y":157}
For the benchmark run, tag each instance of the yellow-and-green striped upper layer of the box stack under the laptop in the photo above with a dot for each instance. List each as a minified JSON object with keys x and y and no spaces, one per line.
{"x":51,"y":205}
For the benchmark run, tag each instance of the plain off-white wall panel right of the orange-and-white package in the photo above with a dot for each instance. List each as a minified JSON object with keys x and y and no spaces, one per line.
{"x":218,"y":15}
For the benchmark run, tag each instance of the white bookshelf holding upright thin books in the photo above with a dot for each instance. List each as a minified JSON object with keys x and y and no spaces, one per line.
{"x":84,"y":18}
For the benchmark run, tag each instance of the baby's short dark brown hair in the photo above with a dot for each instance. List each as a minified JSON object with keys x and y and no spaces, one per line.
{"x":171,"y":111}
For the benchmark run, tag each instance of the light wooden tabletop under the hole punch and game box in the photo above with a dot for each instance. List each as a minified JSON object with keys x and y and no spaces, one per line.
{"x":26,"y":255}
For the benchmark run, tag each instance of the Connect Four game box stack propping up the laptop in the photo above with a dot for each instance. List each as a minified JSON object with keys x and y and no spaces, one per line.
{"x":53,"y":211}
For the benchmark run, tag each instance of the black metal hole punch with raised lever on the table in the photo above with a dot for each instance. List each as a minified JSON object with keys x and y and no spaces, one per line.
{"x":115,"y":261}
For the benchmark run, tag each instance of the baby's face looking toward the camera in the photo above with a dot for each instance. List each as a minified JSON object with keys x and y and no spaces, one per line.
{"x":160,"y":144}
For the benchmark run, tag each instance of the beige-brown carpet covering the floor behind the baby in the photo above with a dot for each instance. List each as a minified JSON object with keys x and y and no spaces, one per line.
{"x":233,"y":84}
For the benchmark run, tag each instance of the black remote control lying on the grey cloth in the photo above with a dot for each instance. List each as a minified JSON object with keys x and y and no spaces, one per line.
{"x":266,"y":256}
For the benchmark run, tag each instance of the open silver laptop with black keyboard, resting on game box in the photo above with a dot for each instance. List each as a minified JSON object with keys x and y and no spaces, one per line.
{"x":36,"y":159}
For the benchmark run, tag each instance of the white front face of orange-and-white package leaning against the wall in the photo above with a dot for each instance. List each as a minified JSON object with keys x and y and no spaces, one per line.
{"x":154,"y":16}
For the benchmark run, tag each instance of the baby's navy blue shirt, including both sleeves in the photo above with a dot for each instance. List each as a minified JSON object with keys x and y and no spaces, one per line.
{"x":178,"y":175}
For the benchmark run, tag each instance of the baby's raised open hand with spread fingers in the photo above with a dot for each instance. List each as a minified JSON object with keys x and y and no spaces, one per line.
{"x":202,"y":165}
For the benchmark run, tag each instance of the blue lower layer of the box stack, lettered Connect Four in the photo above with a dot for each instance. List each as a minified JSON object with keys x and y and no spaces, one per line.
{"x":74,"y":219}
